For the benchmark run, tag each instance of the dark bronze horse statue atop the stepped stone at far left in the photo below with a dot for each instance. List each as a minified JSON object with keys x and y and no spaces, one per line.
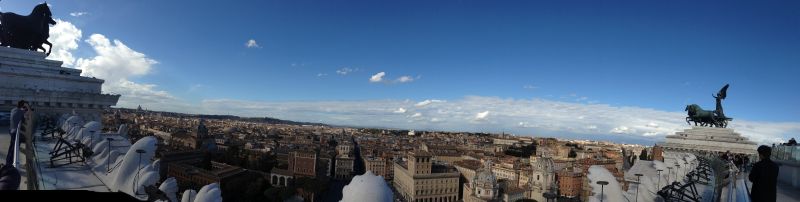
{"x":27,"y":32}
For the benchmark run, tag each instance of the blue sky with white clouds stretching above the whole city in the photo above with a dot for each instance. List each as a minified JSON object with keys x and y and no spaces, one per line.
{"x":596,"y":70}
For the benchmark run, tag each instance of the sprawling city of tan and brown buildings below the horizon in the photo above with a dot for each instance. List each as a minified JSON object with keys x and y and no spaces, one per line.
{"x":419,"y":165}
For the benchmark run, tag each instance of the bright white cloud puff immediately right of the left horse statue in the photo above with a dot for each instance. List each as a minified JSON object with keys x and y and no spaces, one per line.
{"x":65,"y":36}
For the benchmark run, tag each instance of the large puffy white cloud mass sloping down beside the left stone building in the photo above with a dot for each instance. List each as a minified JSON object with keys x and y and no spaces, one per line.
{"x":115,"y":63}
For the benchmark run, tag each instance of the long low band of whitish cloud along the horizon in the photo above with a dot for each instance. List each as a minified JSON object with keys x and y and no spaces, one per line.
{"x":520,"y":116}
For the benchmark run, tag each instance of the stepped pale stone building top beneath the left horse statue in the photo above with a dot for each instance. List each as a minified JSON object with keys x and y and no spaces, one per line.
{"x":50,"y":89}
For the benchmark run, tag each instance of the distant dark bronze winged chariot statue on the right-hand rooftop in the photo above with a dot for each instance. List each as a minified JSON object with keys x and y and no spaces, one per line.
{"x":714,"y":118}
